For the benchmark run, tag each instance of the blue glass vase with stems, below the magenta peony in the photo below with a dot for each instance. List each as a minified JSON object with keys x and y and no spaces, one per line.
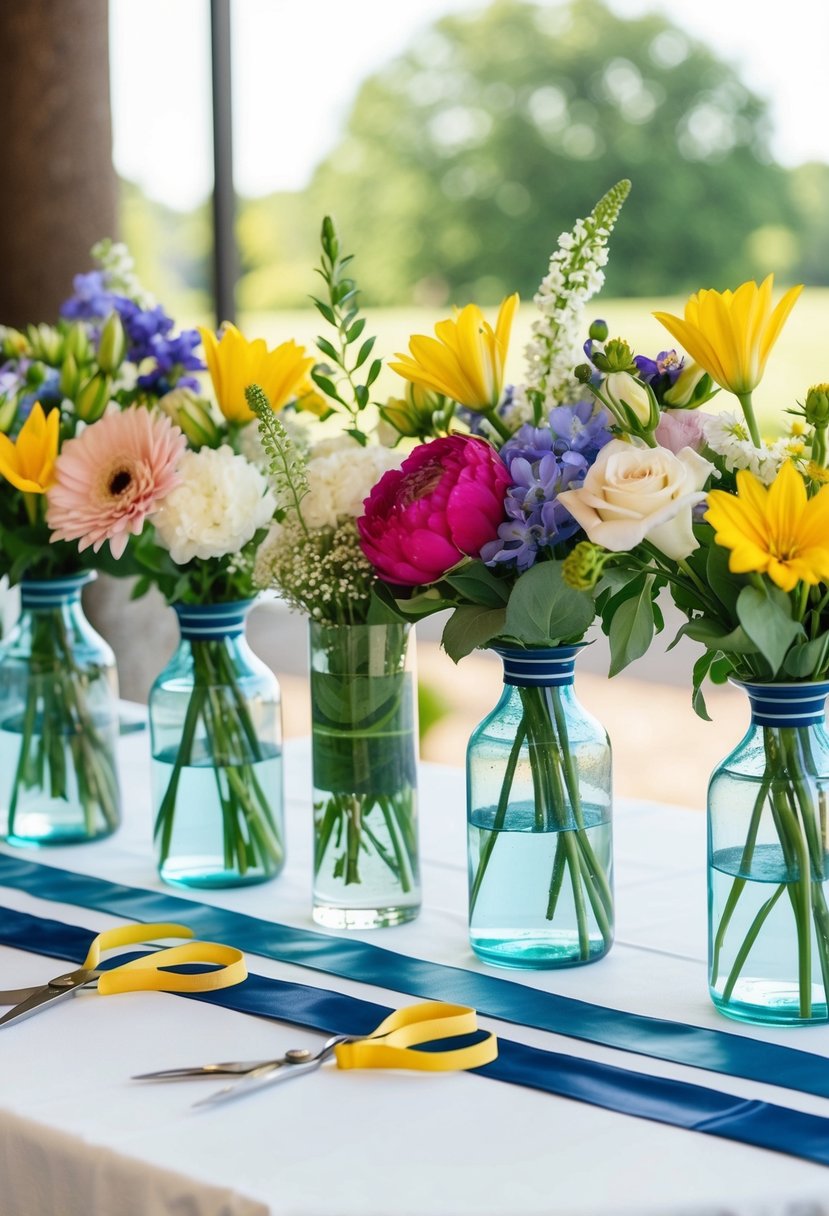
{"x":539,"y":790}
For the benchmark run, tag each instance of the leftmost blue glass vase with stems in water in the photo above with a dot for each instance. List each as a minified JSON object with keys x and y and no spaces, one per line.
{"x":59,"y":722}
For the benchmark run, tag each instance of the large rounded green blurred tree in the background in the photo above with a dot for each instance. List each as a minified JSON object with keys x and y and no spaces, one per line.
{"x":465,"y":159}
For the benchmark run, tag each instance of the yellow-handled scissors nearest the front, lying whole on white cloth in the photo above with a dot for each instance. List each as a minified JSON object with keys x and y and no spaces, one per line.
{"x":388,"y":1046}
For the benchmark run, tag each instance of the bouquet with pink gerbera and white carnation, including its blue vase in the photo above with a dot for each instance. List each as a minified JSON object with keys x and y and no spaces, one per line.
{"x":159,"y":480}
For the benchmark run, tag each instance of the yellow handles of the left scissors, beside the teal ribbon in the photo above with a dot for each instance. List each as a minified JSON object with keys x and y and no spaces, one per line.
{"x":145,"y":973}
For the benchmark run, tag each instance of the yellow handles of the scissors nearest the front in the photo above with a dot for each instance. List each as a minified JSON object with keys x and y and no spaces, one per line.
{"x":390,"y":1046}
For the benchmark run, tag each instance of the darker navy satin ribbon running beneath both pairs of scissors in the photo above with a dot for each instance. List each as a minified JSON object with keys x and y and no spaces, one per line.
{"x":661,"y":1100}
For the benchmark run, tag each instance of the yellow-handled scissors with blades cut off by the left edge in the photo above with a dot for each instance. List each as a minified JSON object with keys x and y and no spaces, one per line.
{"x":146,"y":973}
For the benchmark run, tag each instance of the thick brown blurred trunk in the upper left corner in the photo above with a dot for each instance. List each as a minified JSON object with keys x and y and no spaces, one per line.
{"x":59,"y":196}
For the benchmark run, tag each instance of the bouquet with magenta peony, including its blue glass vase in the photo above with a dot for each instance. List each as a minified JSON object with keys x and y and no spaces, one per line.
{"x":475,"y":522}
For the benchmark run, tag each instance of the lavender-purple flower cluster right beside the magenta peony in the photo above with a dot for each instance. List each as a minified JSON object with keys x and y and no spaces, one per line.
{"x":544,"y":461}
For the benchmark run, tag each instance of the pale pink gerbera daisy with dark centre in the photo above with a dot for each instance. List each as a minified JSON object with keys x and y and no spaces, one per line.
{"x":112,"y":476}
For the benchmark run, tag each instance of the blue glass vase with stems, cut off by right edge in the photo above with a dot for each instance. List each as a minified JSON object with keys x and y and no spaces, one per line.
{"x":769,"y":919}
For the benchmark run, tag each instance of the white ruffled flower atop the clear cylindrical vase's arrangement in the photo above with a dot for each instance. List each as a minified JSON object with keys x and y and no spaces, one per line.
{"x":341,"y":476}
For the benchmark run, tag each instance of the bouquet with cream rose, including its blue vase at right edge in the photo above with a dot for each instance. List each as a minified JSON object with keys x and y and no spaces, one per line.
{"x":738,"y":530}
